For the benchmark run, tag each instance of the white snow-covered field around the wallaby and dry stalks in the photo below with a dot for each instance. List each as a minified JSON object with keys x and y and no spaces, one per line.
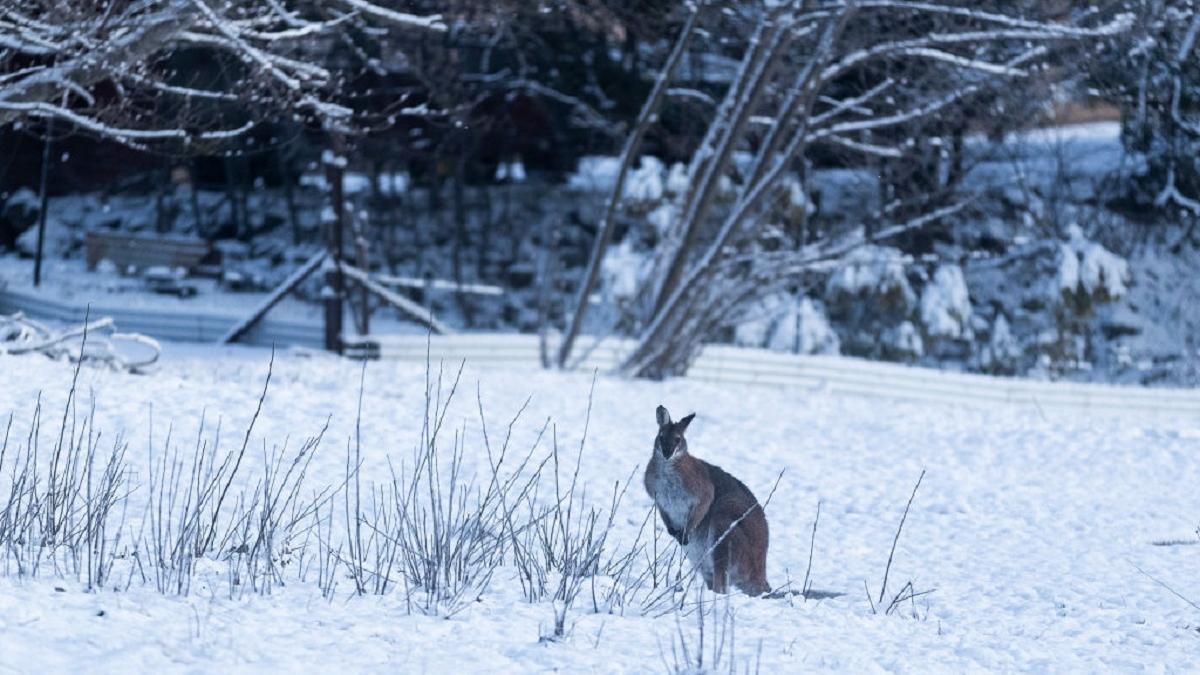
{"x":1030,"y":531}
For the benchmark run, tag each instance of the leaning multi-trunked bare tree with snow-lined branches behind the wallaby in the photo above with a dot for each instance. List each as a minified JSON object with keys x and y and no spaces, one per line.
{"x":788,"y":99}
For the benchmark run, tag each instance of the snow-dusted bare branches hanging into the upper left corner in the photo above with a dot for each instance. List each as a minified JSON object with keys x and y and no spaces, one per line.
{"x":119,"y":70}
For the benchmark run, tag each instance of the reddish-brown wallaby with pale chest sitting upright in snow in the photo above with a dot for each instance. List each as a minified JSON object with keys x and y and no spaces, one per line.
{"x":712,"y":515}
